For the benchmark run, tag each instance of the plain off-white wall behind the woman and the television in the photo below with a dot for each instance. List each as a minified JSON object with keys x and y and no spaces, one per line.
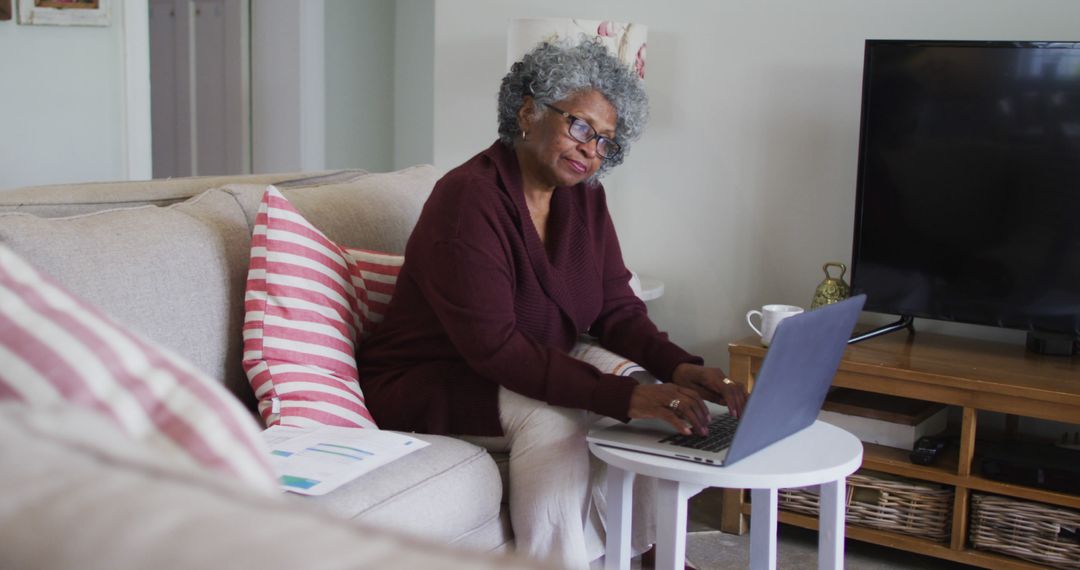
{"x":744,"y":184}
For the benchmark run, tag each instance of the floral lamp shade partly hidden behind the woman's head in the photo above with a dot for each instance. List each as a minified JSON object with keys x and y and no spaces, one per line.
{"x":625,"y":40}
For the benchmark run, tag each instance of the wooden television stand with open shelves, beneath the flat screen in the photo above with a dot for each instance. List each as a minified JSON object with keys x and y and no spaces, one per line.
{"x":974,"y":375}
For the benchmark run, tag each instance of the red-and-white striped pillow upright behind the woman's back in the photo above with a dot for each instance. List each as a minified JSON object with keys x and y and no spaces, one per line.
{"x":308,"y":302}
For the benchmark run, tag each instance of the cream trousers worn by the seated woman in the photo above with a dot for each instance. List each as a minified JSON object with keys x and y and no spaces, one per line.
{"x":557,"y":487}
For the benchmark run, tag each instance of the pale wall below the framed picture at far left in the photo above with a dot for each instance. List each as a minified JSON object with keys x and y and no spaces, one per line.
{"x":62,"y":103}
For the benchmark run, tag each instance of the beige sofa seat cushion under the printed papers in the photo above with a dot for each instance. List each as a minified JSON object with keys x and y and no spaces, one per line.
{"x":445,"y":492}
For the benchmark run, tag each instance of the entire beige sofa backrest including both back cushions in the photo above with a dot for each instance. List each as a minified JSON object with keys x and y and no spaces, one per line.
{"x":175,"y":270}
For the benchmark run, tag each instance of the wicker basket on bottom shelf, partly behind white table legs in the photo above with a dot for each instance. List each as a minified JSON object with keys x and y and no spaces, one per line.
{"x":886,"y":503}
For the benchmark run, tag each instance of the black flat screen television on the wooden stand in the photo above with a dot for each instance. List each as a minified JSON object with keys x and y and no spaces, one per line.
{"x":968,"y":199}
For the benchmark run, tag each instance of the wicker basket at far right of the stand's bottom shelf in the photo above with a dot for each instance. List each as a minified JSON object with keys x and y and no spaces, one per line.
{"x":1034,"y":532}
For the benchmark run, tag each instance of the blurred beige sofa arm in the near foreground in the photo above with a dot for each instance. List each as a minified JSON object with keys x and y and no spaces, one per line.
{"x":88,"y":499}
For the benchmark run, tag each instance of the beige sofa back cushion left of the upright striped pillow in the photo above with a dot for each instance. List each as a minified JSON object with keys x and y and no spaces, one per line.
{"x":174,"y":275}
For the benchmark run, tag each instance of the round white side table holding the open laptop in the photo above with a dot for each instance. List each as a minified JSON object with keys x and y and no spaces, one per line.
{"x":820,"y":455}
